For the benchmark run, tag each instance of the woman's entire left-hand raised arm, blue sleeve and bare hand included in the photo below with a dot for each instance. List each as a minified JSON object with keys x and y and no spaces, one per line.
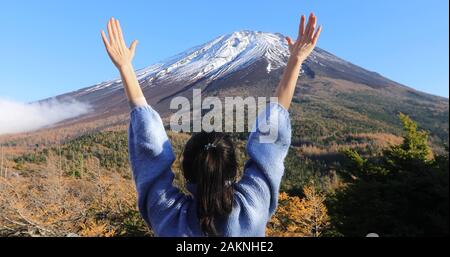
{"x":150,"y":151}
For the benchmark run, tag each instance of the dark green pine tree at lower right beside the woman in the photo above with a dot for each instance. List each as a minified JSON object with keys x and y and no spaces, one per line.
{"x":403,"y":192}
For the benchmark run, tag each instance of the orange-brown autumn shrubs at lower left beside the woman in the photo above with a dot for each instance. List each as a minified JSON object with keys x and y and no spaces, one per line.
{"x":48,"y":203}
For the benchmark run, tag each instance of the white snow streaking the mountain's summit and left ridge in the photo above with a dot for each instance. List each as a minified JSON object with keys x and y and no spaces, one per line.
{"x":217,"y":58}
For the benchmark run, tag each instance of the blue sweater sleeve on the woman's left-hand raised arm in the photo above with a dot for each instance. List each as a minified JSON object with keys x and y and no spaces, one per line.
{"x":151,"y":158}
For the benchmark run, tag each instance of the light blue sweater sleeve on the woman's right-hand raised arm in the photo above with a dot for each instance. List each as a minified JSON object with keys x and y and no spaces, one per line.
{"x":267,"y":148}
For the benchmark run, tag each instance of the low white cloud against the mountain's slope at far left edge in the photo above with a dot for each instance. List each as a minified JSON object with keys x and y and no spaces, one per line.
{"x":18,"y":117}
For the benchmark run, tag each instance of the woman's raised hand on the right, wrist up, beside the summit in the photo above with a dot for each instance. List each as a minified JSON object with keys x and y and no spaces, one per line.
{"x":307,"y":38}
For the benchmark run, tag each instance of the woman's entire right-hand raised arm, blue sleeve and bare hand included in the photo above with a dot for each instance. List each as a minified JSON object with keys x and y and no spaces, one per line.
{"x":261,"y":181}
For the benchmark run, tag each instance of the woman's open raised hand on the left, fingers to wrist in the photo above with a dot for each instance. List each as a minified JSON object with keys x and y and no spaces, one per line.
{"x":116,"y":47}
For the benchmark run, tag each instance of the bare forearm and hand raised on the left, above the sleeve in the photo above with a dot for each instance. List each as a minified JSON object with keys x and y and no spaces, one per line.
{"x":122,"y":57}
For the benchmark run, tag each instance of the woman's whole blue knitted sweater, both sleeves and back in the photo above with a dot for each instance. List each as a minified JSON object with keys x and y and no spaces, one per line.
{"x":170,"y":213}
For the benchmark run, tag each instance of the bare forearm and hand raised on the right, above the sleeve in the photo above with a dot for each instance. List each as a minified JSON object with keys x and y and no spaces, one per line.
{"x":300,"y":50}
